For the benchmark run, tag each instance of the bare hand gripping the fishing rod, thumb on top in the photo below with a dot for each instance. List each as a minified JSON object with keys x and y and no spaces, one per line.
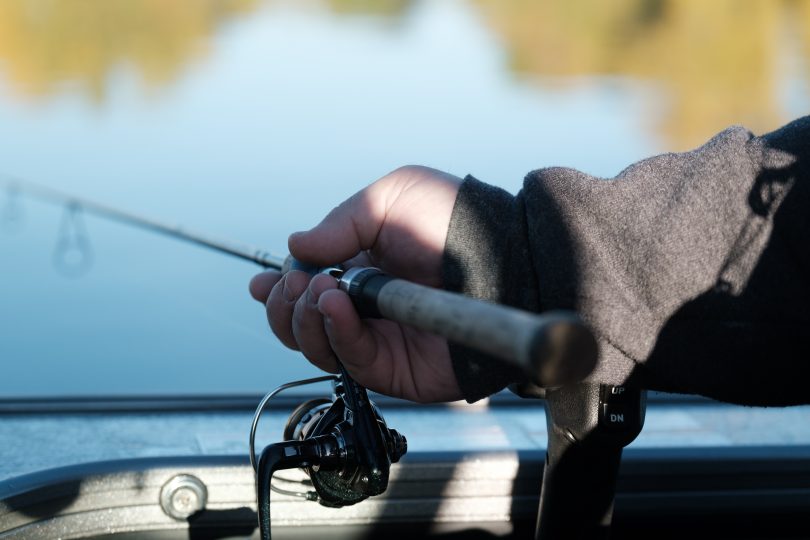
{"x":398,"y":224}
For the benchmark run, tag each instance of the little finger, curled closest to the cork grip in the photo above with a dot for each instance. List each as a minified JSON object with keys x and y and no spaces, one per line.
{"x":350,"y":339}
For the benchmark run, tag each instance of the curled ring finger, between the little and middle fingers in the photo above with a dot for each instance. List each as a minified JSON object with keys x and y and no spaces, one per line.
{"x":307,"y":324}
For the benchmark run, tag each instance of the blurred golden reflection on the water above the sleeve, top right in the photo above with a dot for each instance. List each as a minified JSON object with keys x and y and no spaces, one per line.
{"x":718,"y":62}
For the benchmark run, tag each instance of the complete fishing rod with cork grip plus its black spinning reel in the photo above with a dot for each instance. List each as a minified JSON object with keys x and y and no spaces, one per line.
{"x":344,"y":444}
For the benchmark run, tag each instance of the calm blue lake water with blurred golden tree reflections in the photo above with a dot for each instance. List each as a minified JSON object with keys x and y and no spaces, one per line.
{"x":249,"y":120}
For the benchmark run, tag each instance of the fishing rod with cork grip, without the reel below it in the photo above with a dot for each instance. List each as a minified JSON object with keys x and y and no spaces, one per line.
{"x":553,"y":348}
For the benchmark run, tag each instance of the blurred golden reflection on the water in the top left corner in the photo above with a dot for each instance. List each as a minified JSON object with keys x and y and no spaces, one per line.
{"x":44,"y":43}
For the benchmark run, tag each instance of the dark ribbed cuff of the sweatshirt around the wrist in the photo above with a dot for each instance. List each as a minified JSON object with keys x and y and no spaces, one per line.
{"x":486,"y":256}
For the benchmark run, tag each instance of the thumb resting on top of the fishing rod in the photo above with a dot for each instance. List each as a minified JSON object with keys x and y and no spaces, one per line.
{"x":351,"y":227}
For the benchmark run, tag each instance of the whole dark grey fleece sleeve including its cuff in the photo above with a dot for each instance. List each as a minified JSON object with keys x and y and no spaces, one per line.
{"x":693,"y":269}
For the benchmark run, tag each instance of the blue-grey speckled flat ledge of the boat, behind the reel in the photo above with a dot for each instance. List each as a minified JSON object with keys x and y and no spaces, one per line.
{"x":32,"y":443}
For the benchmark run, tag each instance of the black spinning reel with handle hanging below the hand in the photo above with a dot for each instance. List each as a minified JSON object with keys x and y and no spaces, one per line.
{"x":343,"y":445}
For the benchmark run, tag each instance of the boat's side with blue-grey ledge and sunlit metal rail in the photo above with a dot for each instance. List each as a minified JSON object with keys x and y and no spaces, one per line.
{"x":178,"y":468}
